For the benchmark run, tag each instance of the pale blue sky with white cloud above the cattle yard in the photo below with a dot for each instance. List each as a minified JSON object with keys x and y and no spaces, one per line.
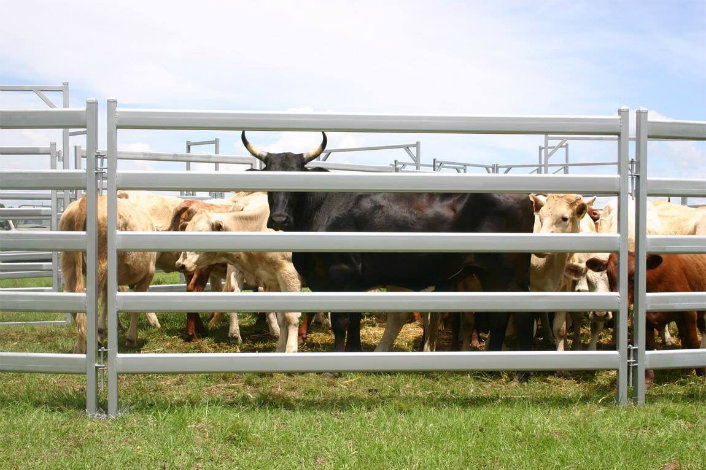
{"x":390,"y":57}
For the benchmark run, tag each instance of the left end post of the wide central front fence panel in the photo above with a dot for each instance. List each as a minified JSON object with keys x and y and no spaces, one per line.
{"x":112,"y":276}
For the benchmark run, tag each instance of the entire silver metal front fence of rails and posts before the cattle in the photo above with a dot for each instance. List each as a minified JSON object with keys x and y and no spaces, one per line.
{"x":623,"y":359}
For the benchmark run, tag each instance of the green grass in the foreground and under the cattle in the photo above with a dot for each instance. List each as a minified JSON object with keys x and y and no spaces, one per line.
{"x":444,"y":420}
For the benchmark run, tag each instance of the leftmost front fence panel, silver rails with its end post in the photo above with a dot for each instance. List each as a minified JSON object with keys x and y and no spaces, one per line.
{"x":38,"y":241}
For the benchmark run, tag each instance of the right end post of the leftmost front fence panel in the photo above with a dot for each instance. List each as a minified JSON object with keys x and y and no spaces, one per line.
{"x":91,"y":256}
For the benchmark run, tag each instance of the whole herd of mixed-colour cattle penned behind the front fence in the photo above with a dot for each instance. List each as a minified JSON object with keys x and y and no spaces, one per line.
{"x":354,"y":272}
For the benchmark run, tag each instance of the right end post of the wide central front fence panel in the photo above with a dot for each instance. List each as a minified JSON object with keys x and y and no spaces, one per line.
{"x":623,"y":201}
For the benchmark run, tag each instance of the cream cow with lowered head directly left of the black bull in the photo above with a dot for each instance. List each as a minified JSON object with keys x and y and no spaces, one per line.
{"x":273,"y":270}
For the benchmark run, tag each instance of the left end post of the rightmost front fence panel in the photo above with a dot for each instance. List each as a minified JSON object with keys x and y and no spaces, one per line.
{"x":639,"y":318}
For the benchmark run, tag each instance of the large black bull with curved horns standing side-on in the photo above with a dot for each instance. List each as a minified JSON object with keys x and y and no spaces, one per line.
{"x":401,"y":212}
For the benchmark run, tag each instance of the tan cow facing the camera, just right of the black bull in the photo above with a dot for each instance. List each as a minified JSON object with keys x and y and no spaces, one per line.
{"x":556,"y":213}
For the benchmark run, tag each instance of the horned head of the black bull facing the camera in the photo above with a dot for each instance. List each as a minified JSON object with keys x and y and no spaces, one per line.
{"x":283,"y":205}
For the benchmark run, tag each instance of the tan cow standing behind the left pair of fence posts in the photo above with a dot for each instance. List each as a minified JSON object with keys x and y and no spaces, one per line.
{"x":135,"y":269}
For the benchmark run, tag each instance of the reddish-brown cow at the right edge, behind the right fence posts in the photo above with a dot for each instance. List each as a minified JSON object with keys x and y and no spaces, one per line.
{"x":665,"y":273}
